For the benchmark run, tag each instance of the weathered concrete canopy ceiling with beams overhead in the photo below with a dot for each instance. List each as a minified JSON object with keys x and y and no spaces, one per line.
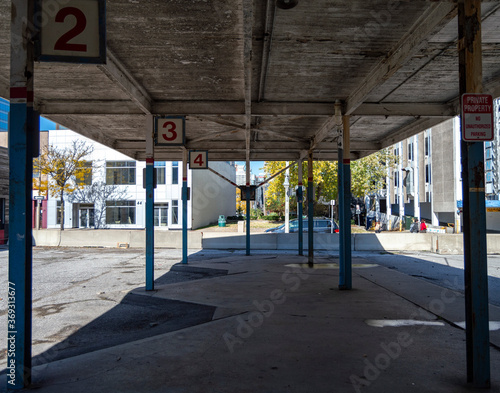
{"x":251,"y":75}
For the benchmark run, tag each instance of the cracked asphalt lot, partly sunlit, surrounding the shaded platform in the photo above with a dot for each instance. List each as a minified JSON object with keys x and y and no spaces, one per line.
{"x":82,"y":300}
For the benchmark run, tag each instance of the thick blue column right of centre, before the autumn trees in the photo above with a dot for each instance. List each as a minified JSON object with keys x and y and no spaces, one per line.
{"x":345,"y":258}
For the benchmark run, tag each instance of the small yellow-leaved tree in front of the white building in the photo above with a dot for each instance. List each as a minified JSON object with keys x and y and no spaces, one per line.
{"x":66,"y":169}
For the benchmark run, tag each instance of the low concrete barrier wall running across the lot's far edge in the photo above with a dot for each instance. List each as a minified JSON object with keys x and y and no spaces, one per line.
{"x":385,"y":241}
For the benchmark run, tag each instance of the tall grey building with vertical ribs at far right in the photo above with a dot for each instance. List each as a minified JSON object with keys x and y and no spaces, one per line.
{"x":428,"y":185}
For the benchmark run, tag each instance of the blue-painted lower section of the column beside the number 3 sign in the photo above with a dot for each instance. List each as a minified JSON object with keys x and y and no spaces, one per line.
{"x":150,"y":224}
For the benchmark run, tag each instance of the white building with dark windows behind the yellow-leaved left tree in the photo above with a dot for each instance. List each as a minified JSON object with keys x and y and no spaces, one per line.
{"x":118,"y":199}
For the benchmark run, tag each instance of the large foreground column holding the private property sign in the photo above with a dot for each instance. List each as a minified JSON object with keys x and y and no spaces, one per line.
{"x":474,"y":209}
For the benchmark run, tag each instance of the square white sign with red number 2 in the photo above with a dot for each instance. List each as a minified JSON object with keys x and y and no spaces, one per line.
{"x":71,"y":31}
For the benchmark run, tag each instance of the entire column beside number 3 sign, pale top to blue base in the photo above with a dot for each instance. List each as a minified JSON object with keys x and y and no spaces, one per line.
{"x":150,"y":190}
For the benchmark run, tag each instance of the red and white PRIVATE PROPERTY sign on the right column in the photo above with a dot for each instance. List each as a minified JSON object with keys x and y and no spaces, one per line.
{"x":477,"y":118}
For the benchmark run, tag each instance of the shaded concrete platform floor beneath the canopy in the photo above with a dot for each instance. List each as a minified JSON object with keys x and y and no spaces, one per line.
{"x":282,"y":327}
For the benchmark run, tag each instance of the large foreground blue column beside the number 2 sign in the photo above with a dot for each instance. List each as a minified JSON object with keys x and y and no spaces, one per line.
{"x":19,"y":294}
